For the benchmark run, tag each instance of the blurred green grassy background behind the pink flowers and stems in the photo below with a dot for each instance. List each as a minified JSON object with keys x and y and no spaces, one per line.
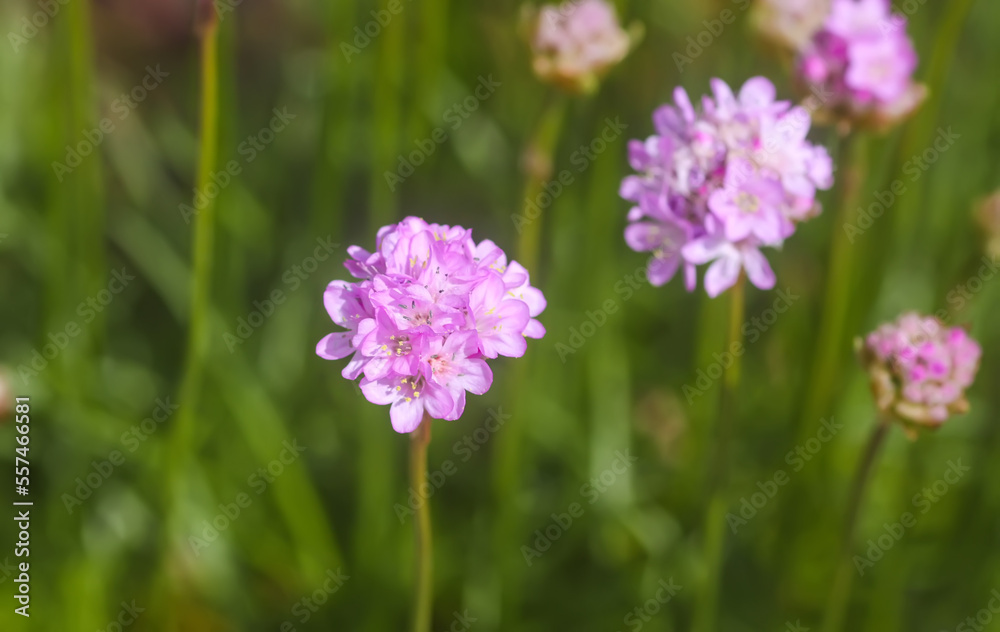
{"x":315,"y":471}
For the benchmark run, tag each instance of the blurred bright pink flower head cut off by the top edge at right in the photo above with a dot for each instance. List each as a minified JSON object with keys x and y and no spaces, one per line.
{"x":864,"y":60}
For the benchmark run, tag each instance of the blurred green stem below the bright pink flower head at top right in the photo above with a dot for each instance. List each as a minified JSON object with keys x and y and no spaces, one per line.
{"x":836,"y":304}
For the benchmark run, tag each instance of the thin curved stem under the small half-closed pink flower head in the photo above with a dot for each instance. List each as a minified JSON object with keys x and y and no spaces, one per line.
{"x":840,"y":594}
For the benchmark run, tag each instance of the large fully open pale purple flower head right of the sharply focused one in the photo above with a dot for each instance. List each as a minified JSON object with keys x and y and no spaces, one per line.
{"x":719,"y":184}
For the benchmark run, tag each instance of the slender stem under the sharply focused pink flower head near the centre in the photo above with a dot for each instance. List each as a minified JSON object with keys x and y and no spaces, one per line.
{"x":423,"y":598}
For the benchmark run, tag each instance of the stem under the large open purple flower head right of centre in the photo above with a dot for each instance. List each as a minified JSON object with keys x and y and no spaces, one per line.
{"x":715,"y":519}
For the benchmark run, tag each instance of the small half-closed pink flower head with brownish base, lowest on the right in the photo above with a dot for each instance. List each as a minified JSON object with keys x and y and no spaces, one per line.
{"x":920,"y":369}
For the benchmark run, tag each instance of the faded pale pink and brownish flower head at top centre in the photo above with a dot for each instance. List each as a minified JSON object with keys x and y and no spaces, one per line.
{"x":576,"y":42}
